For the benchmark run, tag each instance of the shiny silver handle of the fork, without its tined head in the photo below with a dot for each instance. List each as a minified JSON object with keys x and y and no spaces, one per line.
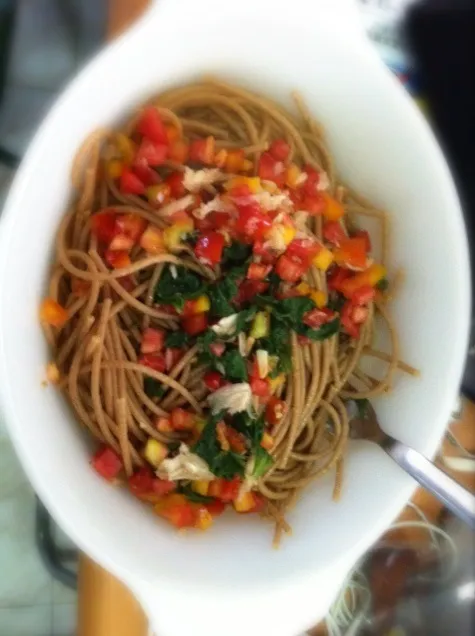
{"x":454,"y":496}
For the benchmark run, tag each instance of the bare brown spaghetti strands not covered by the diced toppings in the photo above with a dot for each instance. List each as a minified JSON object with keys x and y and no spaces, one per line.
{"x":96,"y":350}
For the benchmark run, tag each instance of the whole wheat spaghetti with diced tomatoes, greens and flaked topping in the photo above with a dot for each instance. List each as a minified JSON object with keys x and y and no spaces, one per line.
{"x":211,"y":301}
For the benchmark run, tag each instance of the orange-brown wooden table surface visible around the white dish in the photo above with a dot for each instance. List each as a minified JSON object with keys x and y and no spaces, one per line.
{"x":105,"y":606}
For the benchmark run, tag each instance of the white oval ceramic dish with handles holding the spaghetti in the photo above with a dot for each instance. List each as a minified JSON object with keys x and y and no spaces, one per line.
{"x":229,"y":580}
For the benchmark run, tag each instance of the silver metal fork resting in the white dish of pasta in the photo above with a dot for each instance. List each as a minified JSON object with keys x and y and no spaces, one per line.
{"x":454,"y":496}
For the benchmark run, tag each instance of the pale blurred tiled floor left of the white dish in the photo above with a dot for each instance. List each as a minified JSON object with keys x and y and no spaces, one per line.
{"x":47,"y":49}
